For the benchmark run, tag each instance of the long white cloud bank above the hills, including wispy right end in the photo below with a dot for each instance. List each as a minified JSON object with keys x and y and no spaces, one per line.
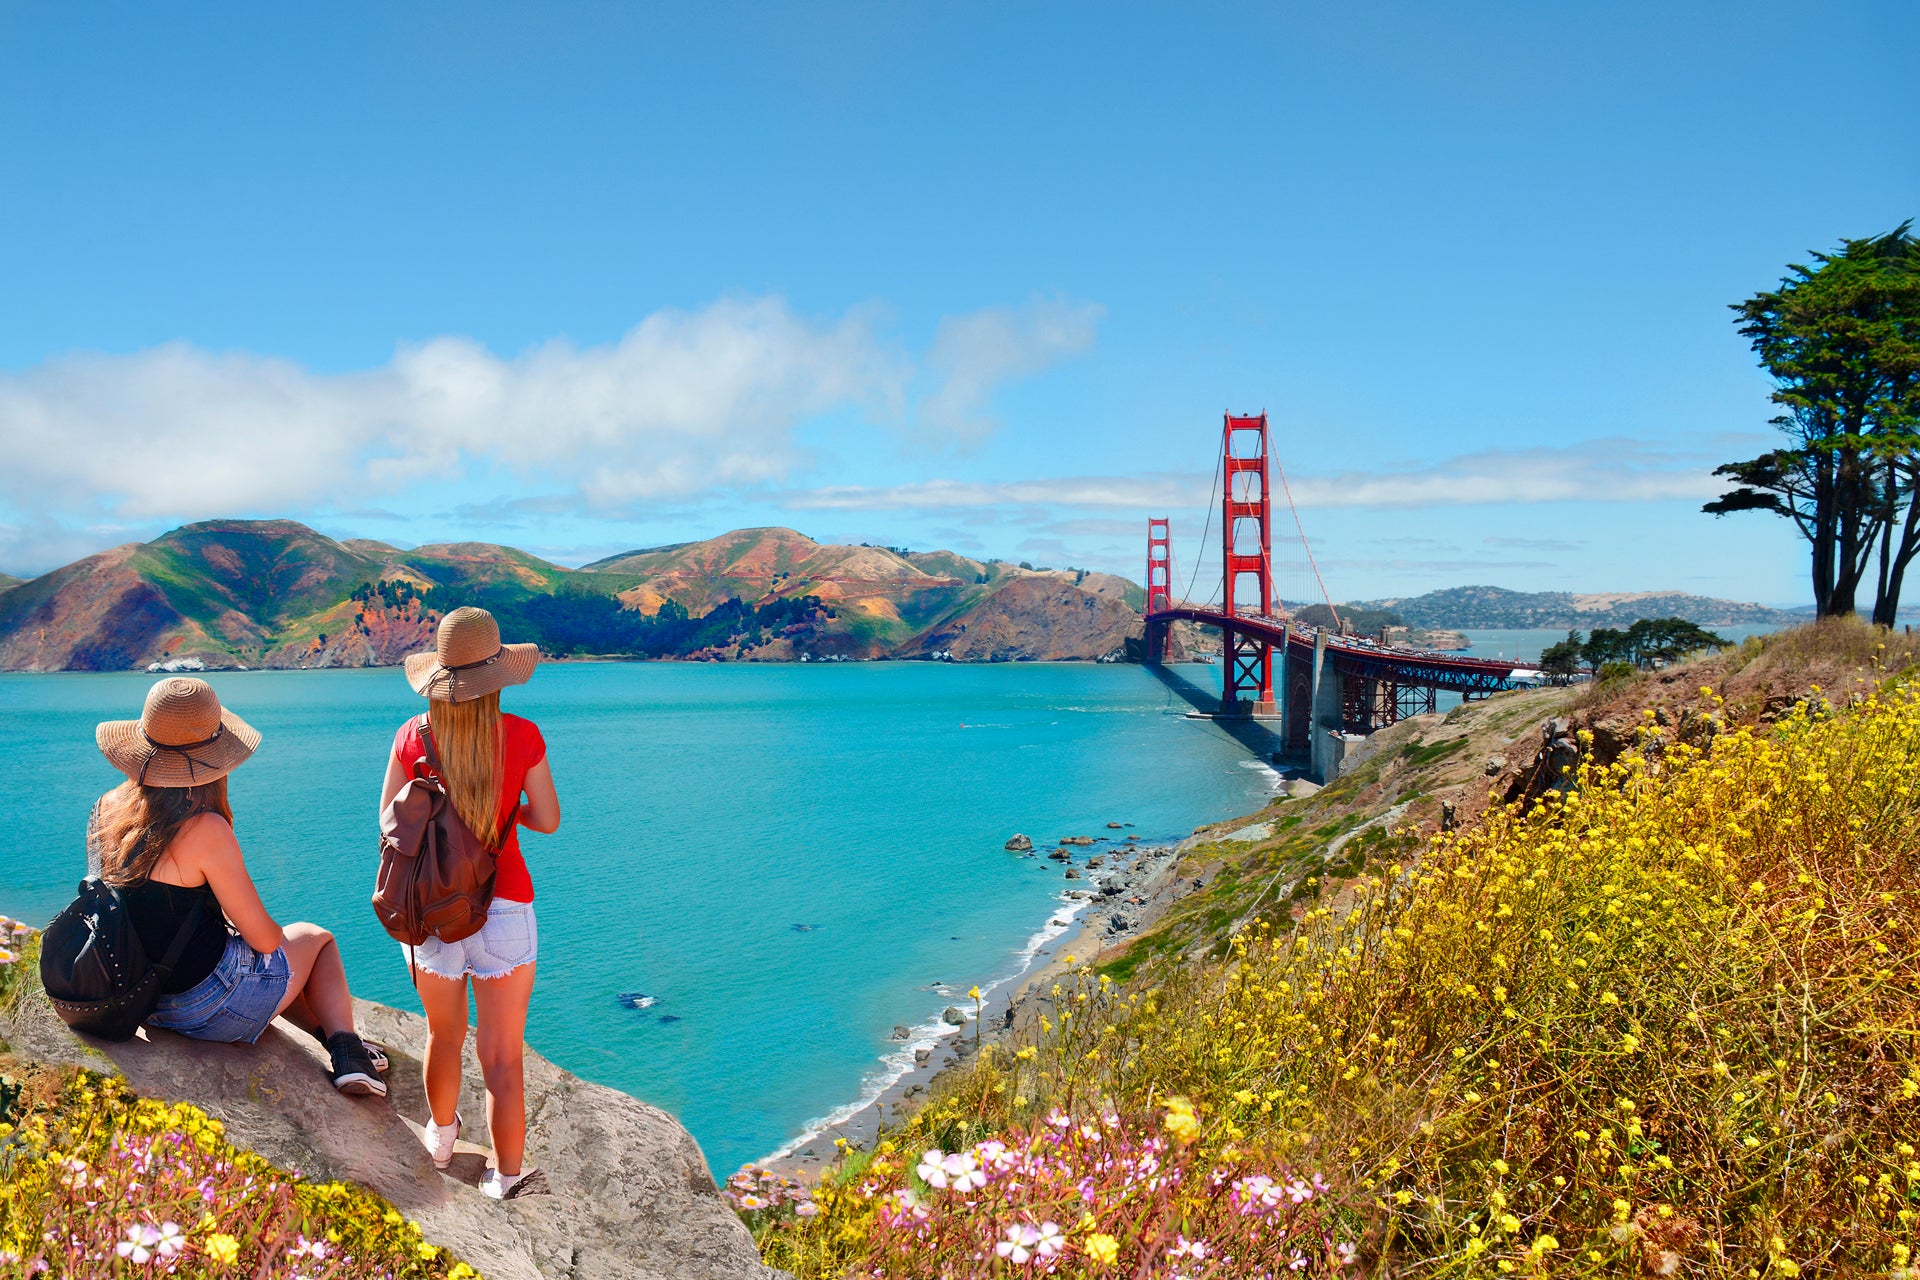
{"x":684,"y":404}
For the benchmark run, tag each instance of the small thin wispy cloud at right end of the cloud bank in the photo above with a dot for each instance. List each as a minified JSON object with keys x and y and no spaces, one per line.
{"x":976,"y":354}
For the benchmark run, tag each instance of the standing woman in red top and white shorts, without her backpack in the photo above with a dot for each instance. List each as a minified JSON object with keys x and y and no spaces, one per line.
{"x":498,"y":780}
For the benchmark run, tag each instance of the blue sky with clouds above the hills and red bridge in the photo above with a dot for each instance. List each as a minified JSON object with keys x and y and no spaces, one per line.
{"x":588,"y":277}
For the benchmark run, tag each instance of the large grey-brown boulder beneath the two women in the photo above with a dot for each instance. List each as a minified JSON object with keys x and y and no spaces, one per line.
{"x":631,"y":1197}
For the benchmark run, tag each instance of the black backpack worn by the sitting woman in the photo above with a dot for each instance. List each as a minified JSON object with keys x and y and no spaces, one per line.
{"x":97,"y":970}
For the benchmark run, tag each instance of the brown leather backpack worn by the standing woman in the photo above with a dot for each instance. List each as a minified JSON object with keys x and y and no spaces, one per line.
{"x":437,"y":878}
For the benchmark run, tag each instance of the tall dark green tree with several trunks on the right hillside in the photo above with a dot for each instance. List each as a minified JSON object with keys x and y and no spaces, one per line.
{"x":1842,"y":341}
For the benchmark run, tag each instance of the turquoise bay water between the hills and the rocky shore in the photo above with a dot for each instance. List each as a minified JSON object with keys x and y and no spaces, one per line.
{"x":709,"y":811}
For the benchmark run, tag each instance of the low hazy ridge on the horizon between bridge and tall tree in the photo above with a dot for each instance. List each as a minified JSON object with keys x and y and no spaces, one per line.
{"x":1472,"y":609}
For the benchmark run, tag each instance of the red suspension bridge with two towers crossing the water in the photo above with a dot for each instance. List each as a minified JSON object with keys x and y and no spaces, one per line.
{"x":1332,"y":684}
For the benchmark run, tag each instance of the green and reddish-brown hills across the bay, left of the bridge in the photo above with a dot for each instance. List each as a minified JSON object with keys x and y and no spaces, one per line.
{"x":277,"y":594}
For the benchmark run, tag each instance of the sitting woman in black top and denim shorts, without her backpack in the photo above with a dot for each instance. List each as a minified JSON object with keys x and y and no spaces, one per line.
{"x":166,"y":841}
